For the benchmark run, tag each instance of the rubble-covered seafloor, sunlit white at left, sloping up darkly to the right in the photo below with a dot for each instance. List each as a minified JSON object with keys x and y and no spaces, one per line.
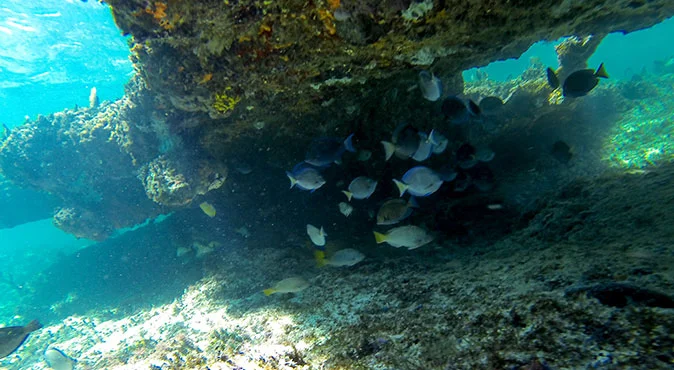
{"x":586,"y":284}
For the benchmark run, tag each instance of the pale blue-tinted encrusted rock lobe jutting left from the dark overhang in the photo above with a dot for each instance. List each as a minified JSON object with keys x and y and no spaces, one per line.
{"x":90,"y":159}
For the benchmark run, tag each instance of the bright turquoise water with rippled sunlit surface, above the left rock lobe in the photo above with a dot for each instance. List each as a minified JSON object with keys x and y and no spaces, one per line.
{"x":52,"y":52}
